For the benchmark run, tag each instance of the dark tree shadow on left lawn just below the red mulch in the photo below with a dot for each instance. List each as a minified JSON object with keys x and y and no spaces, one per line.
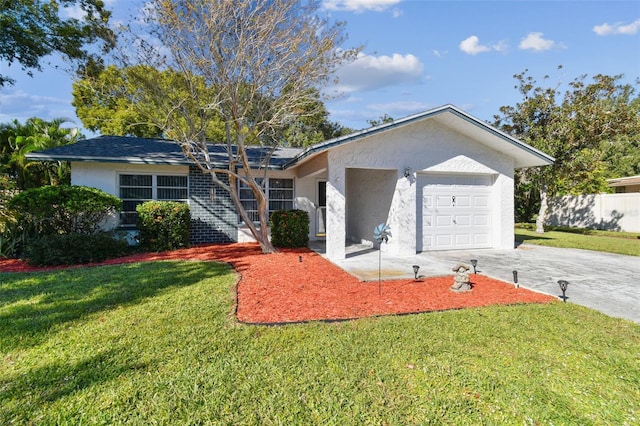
{"x":33,"y":303}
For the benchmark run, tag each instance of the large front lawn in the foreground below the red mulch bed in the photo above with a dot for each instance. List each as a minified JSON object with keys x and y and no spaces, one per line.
{"x":157,"y":343}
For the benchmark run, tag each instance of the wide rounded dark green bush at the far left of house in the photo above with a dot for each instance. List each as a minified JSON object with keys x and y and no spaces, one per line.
{"x":63,"y":209}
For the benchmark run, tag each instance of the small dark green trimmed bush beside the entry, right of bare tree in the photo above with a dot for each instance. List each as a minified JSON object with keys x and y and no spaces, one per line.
{"x":290,"y":228}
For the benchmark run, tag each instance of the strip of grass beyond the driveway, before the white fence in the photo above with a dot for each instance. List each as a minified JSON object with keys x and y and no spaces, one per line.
{"x":627,"y":243}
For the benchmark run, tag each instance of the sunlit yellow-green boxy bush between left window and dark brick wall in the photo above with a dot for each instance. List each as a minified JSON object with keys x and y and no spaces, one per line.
{"x":163,"y":225}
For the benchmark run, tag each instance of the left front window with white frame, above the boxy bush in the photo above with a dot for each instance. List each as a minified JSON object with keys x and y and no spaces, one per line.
{"x":136,"y":189}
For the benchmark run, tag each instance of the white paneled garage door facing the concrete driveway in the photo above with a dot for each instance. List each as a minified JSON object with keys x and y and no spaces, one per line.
{"x":456,"y":212}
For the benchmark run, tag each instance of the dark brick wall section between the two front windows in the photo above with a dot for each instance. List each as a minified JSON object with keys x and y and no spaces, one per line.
{"x":213,"y":216}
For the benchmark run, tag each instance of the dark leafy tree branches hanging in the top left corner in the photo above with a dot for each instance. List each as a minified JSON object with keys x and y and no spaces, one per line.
{"x":33,"y":29}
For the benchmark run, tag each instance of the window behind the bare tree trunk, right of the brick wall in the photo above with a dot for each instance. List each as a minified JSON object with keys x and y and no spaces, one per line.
{"x":279,"y":196}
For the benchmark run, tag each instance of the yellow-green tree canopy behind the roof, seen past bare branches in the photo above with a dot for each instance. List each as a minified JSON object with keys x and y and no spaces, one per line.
{"x":108,"y":101}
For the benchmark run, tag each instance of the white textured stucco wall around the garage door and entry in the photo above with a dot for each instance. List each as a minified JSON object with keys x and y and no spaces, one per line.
{"x":423,"y":147}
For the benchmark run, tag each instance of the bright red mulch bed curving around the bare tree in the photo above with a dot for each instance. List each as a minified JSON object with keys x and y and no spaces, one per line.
{"x":279,"y":288}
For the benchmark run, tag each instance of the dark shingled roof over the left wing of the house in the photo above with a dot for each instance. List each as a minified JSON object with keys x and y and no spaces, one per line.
{"x":127,"y":149}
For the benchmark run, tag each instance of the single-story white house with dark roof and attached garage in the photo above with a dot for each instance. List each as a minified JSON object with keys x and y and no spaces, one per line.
{"x":441,"y":180}
